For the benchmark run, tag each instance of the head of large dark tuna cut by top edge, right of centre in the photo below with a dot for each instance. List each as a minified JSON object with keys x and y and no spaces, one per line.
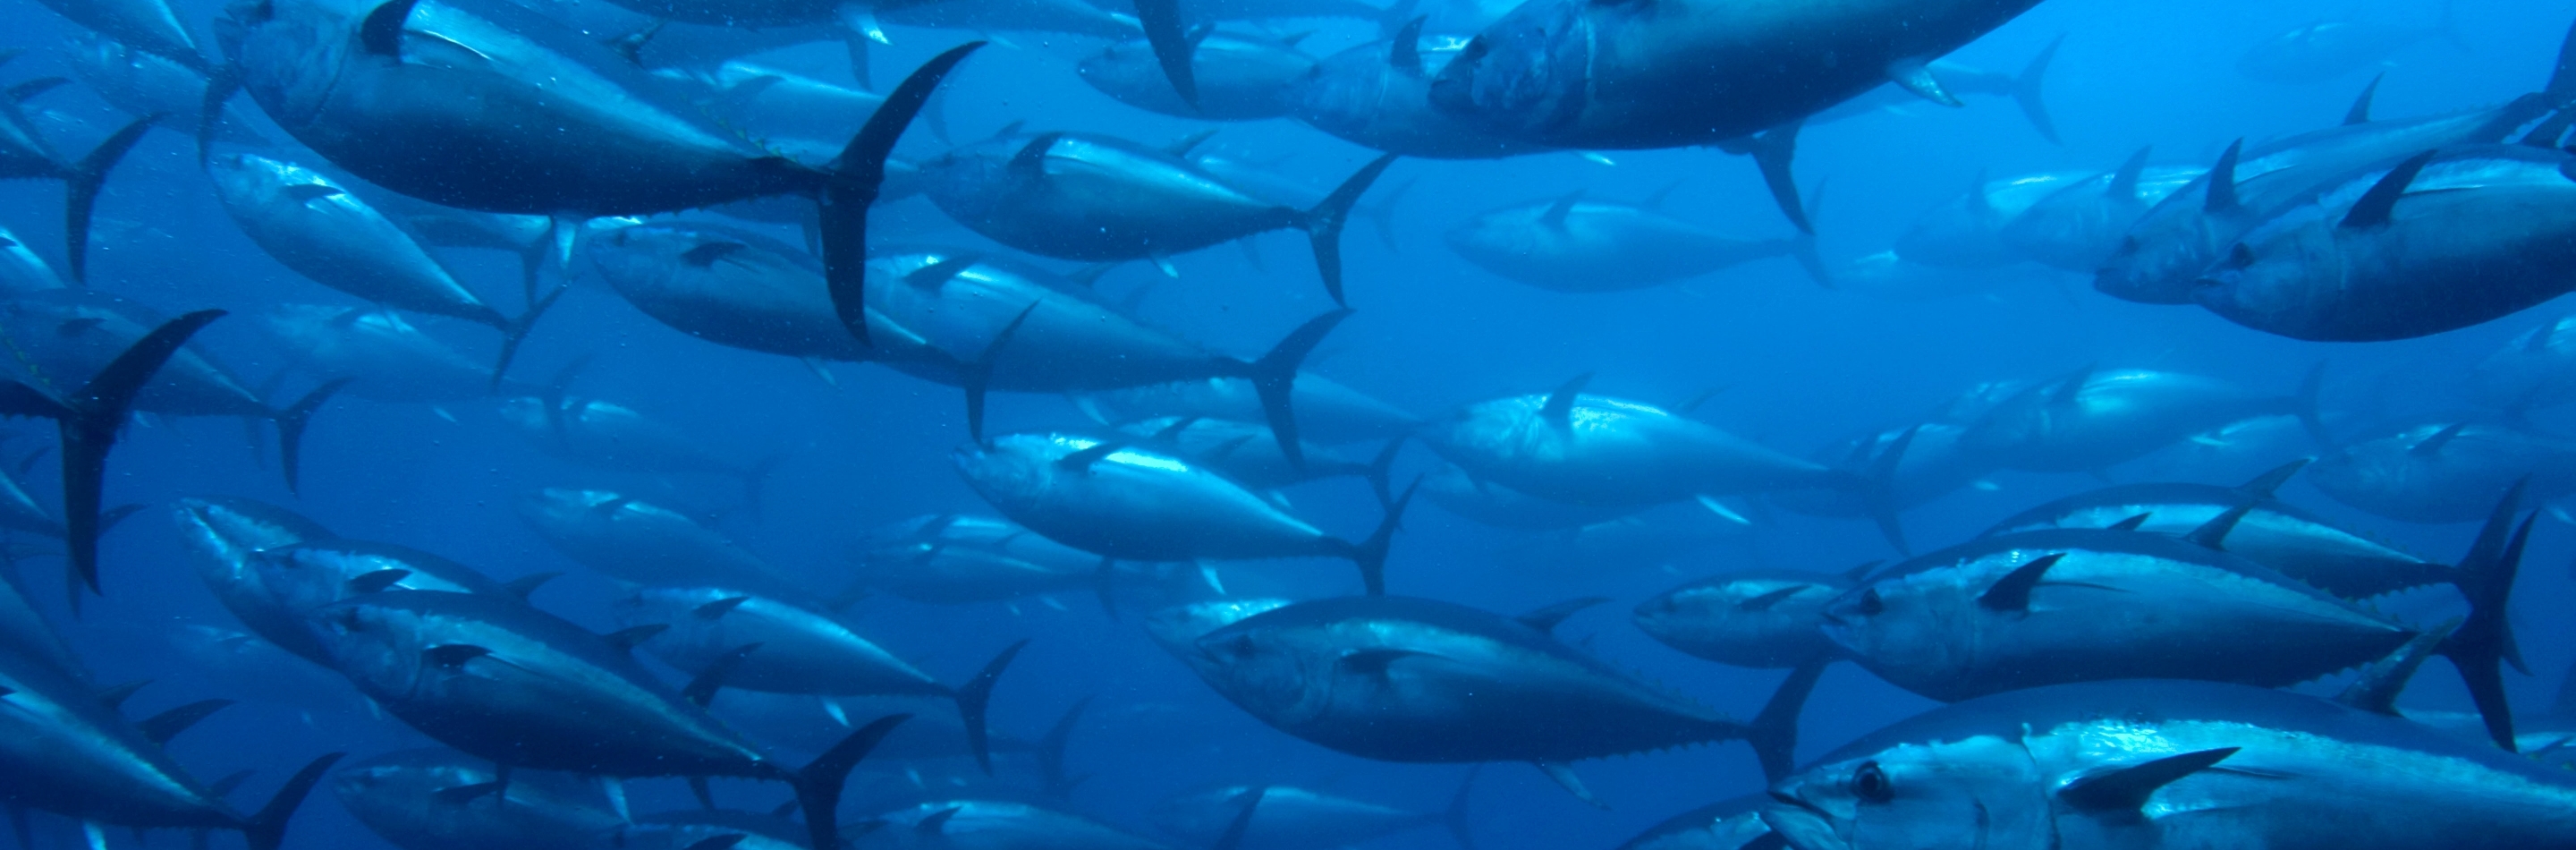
{"x":1529,"y":73}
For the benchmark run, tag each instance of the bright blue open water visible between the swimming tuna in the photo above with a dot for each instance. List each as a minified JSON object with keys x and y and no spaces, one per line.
{"x":1802,"y":367}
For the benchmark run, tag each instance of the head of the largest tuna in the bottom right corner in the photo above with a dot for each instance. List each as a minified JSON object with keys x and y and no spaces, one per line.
{"x":1956,"y":795}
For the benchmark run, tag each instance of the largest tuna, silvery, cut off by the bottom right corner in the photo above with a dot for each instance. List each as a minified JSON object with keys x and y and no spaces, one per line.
{"x":2165,"y":766}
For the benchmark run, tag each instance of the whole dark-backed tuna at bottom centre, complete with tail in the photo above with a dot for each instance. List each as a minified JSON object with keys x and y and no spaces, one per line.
{"x":1385,"y":679}
